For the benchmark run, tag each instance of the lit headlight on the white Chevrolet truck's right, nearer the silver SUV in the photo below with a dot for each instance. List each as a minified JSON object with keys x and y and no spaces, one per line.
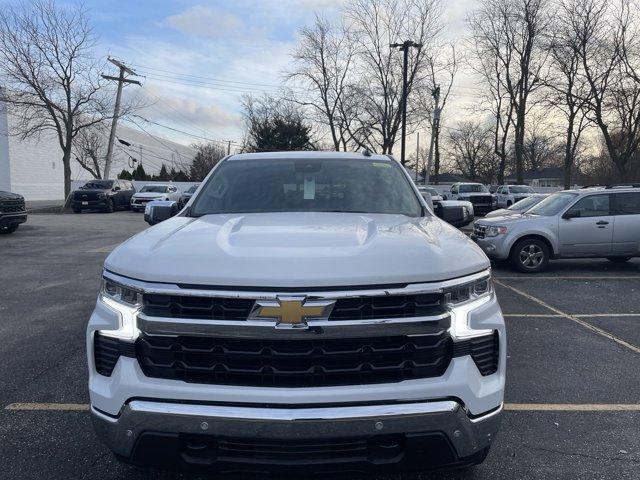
{"x":462,"y":300}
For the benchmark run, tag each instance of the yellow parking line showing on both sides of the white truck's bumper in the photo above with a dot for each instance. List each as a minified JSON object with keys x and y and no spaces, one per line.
{"x":522,"y":407}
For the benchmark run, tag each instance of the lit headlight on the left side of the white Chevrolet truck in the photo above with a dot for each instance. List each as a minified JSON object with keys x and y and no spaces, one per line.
{"x":126,"y":302}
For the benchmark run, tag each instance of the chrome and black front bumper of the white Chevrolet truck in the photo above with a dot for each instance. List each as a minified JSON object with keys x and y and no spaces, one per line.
{"x":394,"y":435}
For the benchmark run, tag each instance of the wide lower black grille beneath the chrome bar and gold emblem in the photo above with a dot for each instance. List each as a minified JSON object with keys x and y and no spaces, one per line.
{"x":295,"y":363}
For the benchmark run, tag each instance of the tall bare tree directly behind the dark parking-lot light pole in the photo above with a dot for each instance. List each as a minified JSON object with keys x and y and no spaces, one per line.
{"x":376,"y":24}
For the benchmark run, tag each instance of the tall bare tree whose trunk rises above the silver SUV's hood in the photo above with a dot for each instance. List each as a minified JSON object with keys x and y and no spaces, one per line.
{"x":507,"y":38}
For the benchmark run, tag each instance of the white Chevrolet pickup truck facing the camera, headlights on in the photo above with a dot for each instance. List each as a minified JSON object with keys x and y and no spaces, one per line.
{"x":306,"y":310}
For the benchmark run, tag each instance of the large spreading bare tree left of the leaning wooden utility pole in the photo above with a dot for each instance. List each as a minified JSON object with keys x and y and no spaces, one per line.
{"x":52,"y":79}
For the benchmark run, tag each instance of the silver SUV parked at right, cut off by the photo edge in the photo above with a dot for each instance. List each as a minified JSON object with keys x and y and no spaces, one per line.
{"x":595,"y":222}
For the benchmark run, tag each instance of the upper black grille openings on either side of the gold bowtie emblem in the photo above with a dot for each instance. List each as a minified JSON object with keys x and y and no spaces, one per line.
{"x":357,"y":308}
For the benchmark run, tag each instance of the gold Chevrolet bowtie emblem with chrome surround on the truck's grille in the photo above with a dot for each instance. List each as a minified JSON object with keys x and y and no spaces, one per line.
{"x":291,"y":312}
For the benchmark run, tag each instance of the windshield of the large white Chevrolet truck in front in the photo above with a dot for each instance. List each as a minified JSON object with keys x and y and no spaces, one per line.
{"x":309,"y":185}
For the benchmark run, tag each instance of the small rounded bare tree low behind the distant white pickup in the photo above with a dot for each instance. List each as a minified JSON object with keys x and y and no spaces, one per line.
{"x":471,"y":149}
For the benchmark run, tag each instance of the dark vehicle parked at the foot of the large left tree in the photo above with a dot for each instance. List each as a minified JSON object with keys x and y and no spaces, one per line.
{"x":107,"y":195}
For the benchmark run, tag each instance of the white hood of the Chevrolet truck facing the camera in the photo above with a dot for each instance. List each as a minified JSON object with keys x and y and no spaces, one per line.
{"x":298,"y":250}
